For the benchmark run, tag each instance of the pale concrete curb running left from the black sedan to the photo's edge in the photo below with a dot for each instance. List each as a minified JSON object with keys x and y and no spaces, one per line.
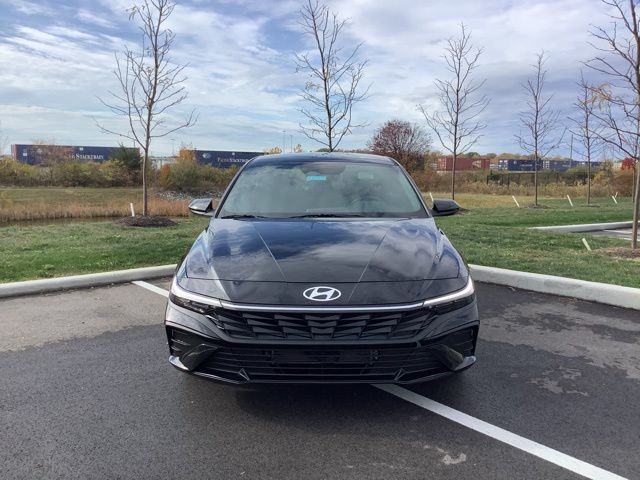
{"x":83,"y":281}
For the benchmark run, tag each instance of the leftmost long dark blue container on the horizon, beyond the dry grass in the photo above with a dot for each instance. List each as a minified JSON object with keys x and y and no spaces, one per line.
{"x":35,"y":154}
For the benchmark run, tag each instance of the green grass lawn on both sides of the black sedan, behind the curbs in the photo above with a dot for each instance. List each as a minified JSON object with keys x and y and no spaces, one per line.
{"x":494,"y":232}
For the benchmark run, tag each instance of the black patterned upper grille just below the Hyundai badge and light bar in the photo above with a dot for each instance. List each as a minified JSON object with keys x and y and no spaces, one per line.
{"x":322,"y":326}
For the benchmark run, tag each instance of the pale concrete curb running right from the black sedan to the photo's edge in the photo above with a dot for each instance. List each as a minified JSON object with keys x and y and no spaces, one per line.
{"x":608,"y":294}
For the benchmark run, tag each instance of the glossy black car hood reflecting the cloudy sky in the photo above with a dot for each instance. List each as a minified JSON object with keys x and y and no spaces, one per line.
{"x":323,"y":251}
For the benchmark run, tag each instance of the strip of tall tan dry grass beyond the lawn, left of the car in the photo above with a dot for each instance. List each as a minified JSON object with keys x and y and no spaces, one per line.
{"x":49,"y":204}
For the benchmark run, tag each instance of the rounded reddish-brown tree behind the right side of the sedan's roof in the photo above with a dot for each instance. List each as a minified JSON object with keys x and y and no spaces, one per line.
{"x":406,"y":142}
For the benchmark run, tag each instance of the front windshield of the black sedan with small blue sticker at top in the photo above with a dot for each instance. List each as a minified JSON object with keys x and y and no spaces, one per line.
{"x":317,"y":189}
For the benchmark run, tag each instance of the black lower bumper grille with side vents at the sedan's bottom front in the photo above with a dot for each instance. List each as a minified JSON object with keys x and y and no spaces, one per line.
{"x":308,"y":364}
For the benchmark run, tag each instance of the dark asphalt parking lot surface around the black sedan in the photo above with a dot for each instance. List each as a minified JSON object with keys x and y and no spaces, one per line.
{"x":86,"y":392}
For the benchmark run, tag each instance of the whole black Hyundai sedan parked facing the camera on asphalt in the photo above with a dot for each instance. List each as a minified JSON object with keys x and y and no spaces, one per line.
{"x":322,"y":268}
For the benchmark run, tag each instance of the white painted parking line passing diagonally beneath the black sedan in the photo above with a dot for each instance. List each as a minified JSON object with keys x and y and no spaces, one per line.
{"x":534,"y":448}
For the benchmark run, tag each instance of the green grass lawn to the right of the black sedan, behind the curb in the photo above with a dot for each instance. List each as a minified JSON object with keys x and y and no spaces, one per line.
{"x":499,"y":237}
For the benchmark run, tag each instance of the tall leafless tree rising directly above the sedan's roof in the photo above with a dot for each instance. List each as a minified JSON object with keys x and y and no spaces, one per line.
{"x":333,"y":77}
